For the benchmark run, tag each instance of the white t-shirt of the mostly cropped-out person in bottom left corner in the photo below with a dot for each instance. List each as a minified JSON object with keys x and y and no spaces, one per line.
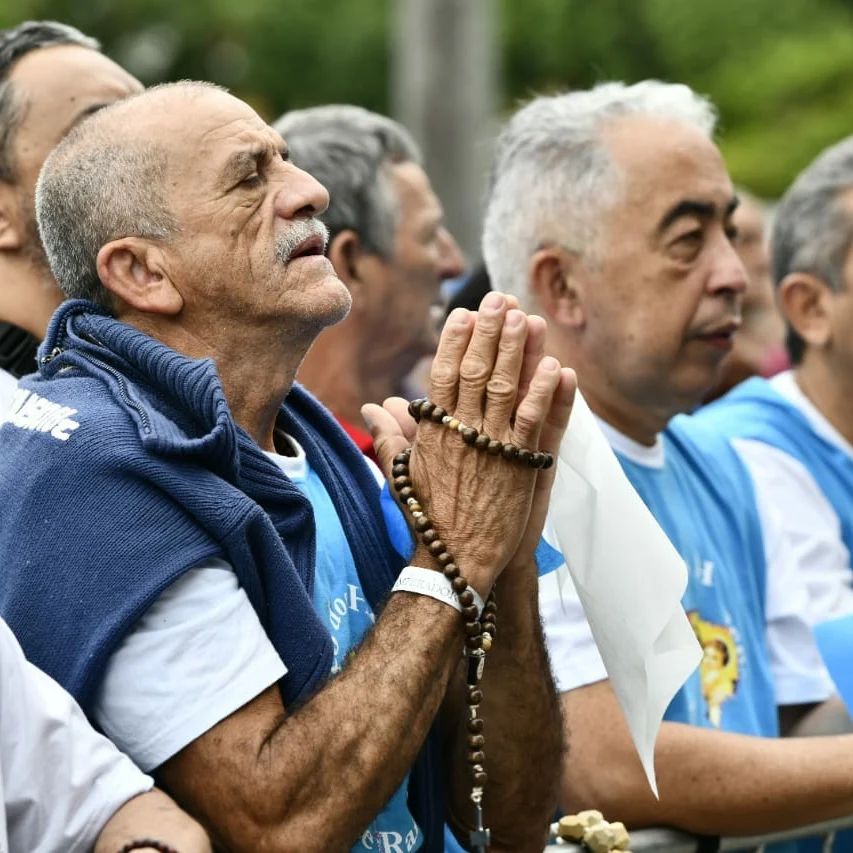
{"x":60,"y":781}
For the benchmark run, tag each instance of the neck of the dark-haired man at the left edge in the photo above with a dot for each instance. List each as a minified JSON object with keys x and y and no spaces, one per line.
{"x":28,"y":295}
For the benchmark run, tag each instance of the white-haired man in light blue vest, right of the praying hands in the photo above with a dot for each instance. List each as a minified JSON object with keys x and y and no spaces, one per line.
{"x":610,"y":213}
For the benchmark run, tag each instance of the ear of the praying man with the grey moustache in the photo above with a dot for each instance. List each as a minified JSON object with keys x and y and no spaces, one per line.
{"x":134,"y":271}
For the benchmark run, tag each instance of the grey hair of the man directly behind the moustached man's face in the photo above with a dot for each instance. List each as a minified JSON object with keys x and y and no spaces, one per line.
{"x":348,"y":149}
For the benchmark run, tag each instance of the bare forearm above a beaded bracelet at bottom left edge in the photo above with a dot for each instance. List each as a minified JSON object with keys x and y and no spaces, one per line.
{"x":152,"y":815}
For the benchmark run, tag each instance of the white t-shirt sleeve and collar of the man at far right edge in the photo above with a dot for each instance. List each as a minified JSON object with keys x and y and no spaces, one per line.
{"x":785,"y":487}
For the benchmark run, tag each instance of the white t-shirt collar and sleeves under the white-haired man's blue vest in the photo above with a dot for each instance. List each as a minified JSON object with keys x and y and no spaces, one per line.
{"x":798,"y":672}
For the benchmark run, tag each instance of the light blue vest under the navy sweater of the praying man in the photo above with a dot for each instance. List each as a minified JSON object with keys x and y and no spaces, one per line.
{"x":340,"y":602}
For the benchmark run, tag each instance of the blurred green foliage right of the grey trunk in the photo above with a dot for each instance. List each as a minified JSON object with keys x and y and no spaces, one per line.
{"x":779,"y":71}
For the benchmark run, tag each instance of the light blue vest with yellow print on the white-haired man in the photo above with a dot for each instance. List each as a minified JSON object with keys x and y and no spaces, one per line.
{"x":702,"y":497}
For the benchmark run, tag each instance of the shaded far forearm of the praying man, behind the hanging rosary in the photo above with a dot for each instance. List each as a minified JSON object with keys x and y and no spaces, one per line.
{"x":523,"y":726}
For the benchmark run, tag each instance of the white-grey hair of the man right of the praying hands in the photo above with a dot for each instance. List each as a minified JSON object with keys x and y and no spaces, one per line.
{"x":553,"y":175}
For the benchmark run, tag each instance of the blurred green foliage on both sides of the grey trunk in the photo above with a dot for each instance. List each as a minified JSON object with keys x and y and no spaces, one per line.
{"x":780,"y":71}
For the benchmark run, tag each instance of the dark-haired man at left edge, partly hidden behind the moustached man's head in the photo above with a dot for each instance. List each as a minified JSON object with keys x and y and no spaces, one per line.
{"x":51,"y":76}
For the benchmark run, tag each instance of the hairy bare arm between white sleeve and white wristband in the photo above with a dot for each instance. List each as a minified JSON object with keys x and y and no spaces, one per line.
{"x":315,"y":777}
